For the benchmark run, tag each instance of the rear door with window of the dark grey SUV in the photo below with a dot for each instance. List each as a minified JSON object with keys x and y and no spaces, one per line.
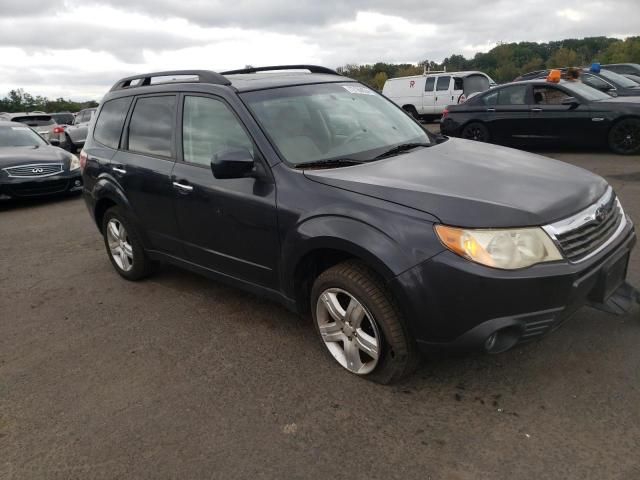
{"x":143,"y":169}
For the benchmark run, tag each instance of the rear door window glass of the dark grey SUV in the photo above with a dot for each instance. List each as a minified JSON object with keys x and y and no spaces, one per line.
{"x":151,"y":129}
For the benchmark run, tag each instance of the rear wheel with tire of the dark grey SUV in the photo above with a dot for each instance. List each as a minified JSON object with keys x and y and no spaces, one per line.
{"x":132,"y":263}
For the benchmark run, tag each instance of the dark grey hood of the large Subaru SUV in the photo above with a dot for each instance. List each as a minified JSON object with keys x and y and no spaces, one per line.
{"x":472,"y":184}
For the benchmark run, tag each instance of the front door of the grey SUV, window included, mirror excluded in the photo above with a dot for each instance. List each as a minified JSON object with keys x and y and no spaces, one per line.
{"x":227,"y":225}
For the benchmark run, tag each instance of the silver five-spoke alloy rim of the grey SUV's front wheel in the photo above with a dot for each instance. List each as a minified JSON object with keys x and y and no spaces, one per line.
{"x":348,"y":330}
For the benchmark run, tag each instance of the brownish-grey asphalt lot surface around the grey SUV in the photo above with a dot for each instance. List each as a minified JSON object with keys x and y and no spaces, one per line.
{"x":181,"y":377}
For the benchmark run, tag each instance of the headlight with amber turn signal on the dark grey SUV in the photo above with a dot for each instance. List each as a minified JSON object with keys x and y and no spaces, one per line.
{"x":501,"y":248}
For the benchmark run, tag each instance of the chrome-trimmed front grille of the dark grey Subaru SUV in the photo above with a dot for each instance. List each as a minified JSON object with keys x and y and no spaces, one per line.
{"x":586,"y":233}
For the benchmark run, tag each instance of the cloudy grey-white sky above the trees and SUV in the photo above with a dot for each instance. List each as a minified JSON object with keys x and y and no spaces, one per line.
{"x":78,"y":49}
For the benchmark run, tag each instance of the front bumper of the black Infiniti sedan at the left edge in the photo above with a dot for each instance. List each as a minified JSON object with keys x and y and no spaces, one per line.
{"x":16,"y":187}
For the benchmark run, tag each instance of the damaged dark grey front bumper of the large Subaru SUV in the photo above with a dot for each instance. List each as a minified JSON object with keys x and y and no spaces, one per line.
{"x":455,"y":304}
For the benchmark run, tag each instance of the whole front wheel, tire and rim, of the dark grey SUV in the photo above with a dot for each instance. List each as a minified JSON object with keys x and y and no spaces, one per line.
{"x":375,"y":316}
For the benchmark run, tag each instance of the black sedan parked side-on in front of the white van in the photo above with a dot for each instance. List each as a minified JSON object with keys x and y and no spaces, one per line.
{"x":539,"y":112}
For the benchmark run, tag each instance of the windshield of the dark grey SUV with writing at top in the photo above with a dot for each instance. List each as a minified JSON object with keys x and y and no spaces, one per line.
{"x":311,"y":123}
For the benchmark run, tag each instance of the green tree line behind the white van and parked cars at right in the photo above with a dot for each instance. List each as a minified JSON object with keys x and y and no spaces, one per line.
{"x":508,"y":60}
